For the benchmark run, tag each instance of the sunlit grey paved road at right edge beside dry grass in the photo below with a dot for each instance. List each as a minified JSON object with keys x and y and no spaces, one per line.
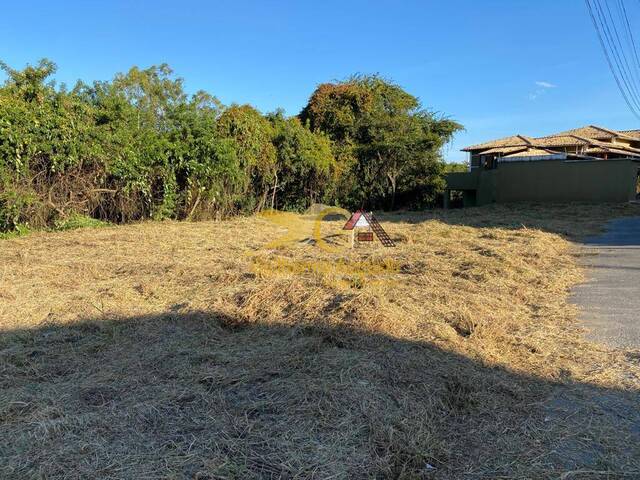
{"x":610,"y":299}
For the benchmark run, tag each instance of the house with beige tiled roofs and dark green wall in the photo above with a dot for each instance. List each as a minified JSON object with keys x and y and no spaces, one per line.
{"x":591,"y":163}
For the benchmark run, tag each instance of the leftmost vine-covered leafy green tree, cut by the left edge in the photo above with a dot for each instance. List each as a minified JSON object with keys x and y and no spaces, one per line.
{"x":46,"y":141}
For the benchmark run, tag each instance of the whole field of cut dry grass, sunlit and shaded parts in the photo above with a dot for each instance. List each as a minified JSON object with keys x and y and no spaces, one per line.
{"x":202,"y":351}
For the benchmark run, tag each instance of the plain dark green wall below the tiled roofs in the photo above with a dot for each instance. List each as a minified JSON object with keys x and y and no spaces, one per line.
{"x":549,"y":180}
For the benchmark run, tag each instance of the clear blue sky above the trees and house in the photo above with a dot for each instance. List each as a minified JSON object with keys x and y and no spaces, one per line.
{"x":498,"y":67}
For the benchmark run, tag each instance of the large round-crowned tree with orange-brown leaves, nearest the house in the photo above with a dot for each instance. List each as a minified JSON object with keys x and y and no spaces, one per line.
{"x":386,"y":144}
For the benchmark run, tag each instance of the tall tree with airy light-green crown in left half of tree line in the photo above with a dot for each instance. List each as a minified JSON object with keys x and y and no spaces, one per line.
{"x":134,"y":116}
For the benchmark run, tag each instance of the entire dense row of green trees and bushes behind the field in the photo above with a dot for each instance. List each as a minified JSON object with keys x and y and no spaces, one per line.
{"x":139,"y":147}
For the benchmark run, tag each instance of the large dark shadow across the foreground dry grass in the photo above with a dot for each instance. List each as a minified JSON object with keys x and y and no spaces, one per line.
{"x":199,"y":395}
